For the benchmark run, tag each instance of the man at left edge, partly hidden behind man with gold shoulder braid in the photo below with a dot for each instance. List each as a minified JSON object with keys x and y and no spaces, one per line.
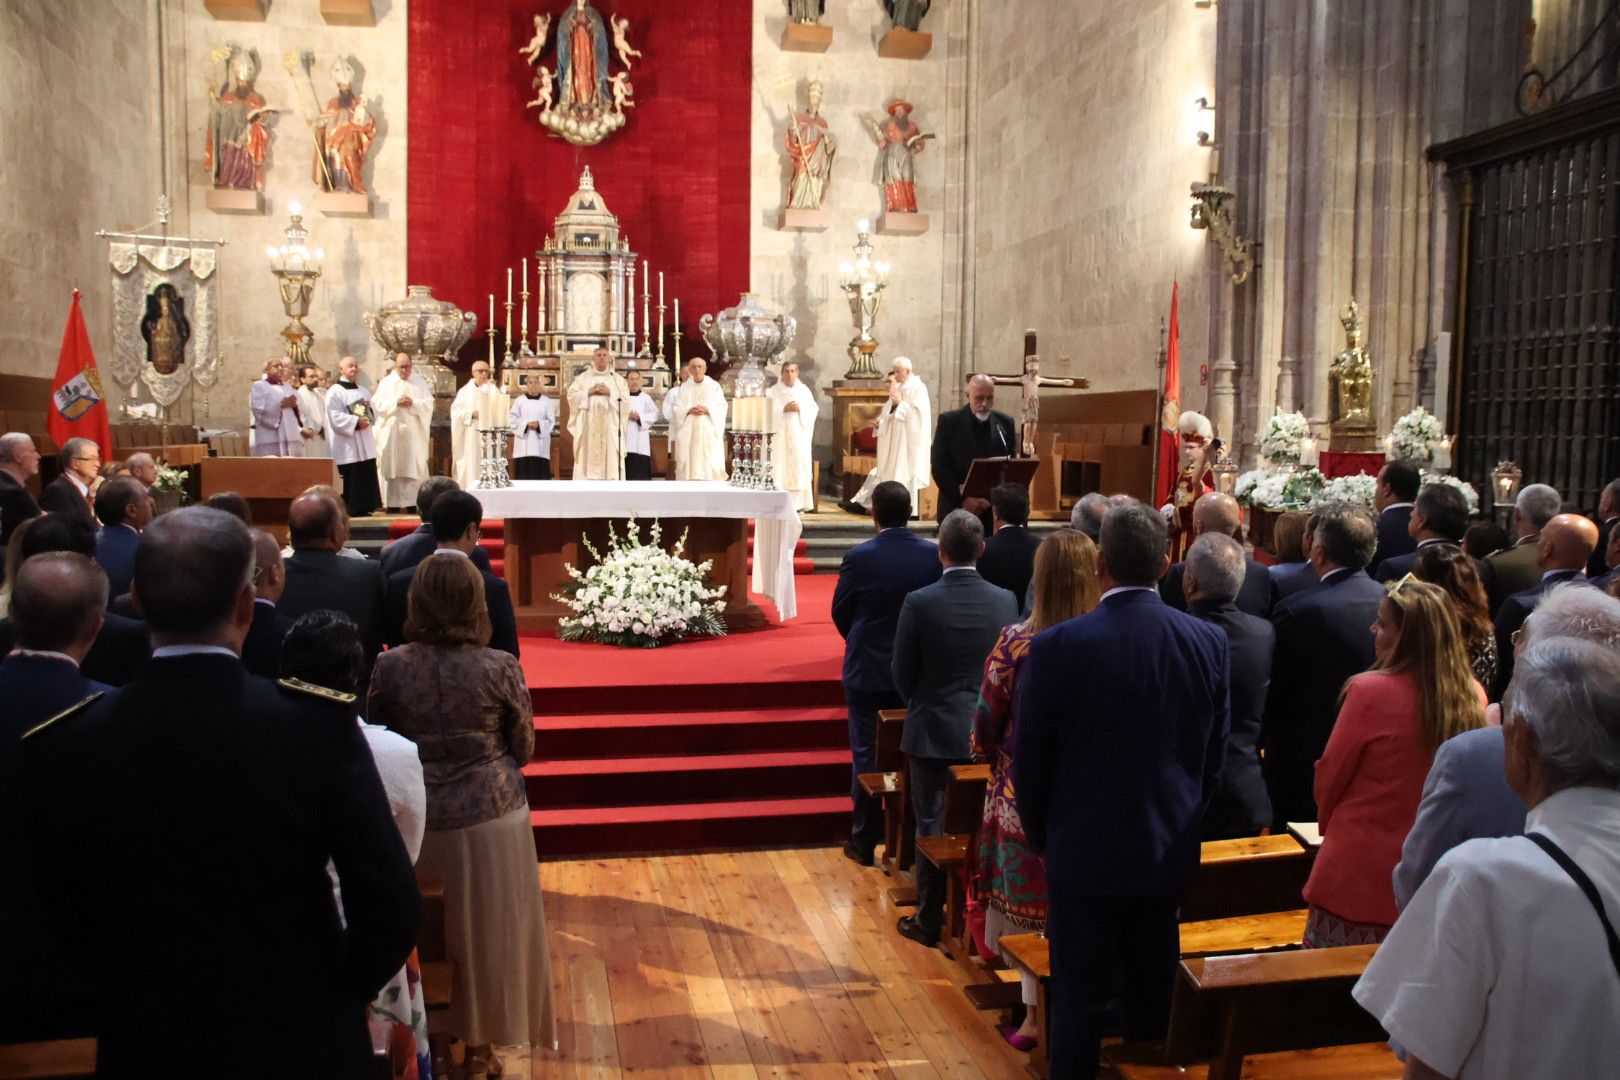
{"x":58,"y":608}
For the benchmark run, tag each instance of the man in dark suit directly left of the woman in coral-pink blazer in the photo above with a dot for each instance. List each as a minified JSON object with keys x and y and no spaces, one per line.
{"x":1324,"y":636}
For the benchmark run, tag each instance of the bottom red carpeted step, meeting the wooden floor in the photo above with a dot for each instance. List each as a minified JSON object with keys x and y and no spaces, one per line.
{"x":689,"y":827}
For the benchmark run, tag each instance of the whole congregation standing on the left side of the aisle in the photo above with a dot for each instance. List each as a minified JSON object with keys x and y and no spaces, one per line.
{"x":226,"y":765}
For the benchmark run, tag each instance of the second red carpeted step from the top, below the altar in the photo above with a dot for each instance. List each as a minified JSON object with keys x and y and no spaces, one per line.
{"x":697,"y":733}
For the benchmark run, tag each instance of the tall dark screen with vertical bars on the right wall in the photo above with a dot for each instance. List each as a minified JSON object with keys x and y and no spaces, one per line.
{"x":1537,"y":372}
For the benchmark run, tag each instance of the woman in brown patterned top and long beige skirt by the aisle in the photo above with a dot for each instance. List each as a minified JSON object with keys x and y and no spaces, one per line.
{"x":469,"y":712}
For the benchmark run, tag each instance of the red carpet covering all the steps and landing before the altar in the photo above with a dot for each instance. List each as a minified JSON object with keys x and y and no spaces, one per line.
{"x":723,"y":742}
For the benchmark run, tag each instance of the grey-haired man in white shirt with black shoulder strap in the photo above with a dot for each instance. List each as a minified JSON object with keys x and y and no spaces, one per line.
{"x":1506,"y":963}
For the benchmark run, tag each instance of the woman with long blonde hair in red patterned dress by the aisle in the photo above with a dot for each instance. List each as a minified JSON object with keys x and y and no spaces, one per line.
{"x":1010,"y":882}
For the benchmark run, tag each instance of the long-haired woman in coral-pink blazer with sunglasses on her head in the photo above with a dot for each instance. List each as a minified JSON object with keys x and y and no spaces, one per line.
{"x":1420,"y":692}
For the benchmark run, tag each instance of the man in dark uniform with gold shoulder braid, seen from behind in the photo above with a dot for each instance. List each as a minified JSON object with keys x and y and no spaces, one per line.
{"x":184,"y":828}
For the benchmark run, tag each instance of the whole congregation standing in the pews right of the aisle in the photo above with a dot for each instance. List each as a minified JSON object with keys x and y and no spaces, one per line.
{"x":1435,"y":697}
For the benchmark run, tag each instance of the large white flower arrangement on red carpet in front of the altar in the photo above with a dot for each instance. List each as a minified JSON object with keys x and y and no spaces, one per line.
{"x":639,"y":595}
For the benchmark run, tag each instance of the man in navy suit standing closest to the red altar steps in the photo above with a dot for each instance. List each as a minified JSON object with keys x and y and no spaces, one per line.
{"x":872,"y":584}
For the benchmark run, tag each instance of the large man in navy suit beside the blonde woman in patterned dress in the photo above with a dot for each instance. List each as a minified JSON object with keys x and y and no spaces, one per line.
{"x":1123,"y":720}
